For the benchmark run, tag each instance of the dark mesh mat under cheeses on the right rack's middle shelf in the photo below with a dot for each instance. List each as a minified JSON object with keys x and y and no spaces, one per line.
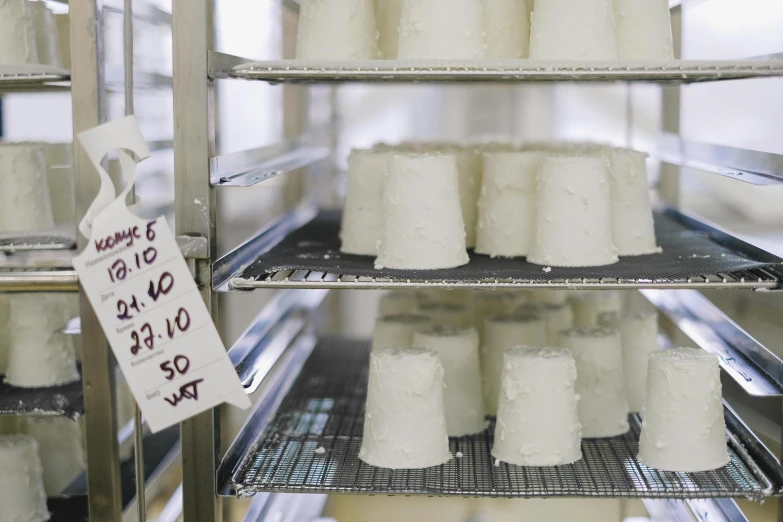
{"x":687,"y":254}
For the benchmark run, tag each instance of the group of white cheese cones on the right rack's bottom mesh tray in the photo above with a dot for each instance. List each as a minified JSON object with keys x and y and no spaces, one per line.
{"x":546,"y":399}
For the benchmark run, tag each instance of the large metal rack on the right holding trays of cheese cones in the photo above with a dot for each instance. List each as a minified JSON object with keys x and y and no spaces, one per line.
{"x":275,"y":348}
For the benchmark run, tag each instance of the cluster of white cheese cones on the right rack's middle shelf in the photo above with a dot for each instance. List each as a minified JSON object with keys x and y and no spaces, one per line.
{"x":421,"y":206}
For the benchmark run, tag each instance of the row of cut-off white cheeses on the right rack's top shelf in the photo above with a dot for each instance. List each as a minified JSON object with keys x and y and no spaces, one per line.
{"x":475,"y":29}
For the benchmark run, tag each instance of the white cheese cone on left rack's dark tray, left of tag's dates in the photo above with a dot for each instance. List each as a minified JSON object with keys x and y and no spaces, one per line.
{"x":40,"y":356}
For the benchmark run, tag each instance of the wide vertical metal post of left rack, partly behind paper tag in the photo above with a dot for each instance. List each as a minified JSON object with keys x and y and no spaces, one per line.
{"x":87,"y":92}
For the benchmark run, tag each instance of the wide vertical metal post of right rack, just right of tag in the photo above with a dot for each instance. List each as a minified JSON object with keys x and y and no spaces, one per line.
{"x":194,"y":143}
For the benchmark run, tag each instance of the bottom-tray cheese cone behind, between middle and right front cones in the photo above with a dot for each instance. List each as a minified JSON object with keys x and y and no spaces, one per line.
{"x":600,"y":380}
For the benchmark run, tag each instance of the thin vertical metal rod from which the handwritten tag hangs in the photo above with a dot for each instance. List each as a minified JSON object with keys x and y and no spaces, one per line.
{"x":138,"y":422}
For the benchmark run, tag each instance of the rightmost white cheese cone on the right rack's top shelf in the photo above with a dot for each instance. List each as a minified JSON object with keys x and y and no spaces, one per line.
{"x":644,"y":30}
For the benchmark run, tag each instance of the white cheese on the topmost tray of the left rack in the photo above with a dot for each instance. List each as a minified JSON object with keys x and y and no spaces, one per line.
{"x":30,"y":33}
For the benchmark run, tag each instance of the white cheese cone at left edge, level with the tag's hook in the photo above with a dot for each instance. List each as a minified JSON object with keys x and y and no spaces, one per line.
{"x":24,"y":195}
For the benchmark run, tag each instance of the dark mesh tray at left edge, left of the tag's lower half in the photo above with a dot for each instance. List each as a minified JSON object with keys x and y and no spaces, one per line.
{"x":67,"y":400}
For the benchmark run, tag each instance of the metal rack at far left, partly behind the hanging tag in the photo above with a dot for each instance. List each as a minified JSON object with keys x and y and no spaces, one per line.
{"x":100,"y":489}
